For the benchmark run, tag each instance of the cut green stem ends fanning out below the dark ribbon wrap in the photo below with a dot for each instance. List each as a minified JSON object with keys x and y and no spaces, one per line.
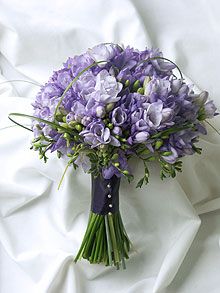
{"x":105,"y":241}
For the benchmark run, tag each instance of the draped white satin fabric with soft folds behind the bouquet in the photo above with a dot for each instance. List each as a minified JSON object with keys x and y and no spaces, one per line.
{"x":174,"y":225}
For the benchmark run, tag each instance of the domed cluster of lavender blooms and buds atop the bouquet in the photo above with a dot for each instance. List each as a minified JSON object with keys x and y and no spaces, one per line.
{"x":129,"y":102}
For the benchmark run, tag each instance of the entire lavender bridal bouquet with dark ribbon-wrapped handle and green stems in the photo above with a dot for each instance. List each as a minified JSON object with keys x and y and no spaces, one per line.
{"x":106,"y":106}
